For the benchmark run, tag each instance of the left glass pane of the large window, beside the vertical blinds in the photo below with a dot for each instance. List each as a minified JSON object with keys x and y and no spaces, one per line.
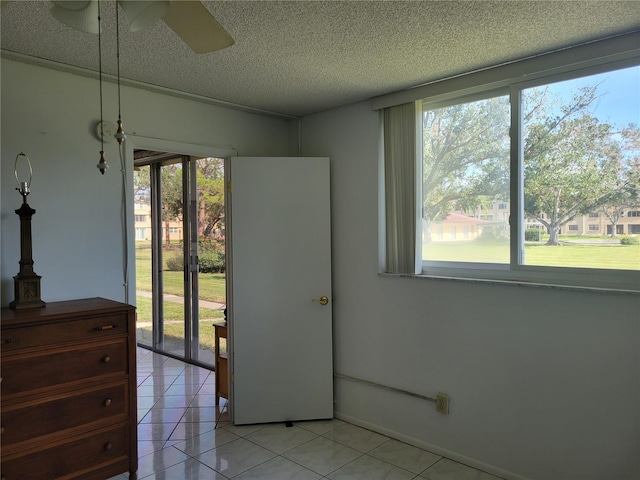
{"x":465,"y":175}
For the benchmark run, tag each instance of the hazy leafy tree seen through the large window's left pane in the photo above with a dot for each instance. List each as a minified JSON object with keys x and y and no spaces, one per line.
{"x":465,"y":157}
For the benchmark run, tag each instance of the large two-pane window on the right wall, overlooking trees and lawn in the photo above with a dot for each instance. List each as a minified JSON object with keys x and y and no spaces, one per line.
{"x":564,"y":147}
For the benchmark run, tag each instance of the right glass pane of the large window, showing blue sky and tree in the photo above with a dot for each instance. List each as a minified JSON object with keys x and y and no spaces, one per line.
{"x":582,"y":161}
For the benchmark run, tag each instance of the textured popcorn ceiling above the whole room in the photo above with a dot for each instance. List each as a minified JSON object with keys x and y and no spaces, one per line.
{"x":302,"y":57}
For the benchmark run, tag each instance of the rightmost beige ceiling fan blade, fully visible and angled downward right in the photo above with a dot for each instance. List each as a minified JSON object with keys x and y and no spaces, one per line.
{"x":197,"y":27}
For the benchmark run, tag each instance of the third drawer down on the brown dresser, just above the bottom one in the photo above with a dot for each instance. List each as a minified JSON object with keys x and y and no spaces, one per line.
{"x":24,"y":421}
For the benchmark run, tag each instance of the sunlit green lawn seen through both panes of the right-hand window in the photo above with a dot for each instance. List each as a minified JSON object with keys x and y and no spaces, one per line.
{"x":605,"y":255}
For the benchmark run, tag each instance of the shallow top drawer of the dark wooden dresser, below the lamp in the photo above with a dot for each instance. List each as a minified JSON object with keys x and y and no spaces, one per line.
{"x":44,"y":334}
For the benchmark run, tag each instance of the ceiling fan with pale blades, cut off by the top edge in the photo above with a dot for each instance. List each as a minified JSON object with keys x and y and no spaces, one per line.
{"x":190,"y":20}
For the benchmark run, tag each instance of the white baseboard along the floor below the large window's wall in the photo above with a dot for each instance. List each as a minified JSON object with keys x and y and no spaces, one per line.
{"x":493,"y":470}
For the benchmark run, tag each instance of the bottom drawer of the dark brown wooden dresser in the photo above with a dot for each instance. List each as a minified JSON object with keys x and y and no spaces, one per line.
{"x":76,"y":458}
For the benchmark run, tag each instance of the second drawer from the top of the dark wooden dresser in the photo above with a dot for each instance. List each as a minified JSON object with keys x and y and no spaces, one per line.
{"x":39,"y":369}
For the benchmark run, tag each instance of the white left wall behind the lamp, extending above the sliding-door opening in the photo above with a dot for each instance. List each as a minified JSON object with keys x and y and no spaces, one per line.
{"x":77,"y":232}
